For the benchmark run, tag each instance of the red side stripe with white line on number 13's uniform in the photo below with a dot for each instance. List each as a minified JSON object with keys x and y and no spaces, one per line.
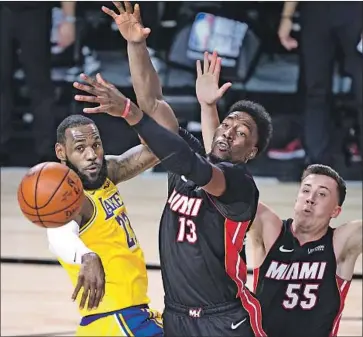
{"x":234,"y":234}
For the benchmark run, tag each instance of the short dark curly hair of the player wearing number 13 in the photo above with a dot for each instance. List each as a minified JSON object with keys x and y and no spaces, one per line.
{"x":261,"y":118}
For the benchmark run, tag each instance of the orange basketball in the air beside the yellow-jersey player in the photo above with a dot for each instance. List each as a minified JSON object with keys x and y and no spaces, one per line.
{"x":50,"y":195}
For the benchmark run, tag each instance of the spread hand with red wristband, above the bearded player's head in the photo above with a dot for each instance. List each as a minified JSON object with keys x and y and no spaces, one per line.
{"x":104,"y":93}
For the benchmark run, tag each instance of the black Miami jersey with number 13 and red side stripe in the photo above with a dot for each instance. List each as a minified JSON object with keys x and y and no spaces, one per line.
{"x":202,"y":237}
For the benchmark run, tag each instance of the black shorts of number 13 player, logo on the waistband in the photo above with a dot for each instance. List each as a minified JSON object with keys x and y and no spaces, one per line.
{"x":229,"y":319}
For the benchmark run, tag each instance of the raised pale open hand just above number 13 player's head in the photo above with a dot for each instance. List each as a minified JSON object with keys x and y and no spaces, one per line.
{"x":207,"y":84}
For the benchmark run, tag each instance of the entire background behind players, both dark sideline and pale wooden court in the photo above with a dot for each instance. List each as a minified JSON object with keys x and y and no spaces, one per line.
{"x":302,"y":61}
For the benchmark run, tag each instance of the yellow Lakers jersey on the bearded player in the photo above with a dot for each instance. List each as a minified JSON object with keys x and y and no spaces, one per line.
{"x":109,"y":234}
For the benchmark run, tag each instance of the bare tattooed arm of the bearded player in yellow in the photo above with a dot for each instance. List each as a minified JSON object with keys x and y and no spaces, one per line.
{"x":130,"y":164}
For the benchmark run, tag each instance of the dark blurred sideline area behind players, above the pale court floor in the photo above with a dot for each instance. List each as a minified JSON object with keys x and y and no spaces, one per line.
{"x":303,"y":64}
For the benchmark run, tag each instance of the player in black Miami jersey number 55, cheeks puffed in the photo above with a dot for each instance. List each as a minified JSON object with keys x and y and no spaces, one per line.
{"x":303,"y":267}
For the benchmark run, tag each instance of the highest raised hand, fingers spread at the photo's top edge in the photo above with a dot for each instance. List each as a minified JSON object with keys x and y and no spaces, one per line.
{"x":128,"y":21}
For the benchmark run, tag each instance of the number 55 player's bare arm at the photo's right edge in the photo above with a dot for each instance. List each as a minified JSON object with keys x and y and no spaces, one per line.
{"x":347,"y":247}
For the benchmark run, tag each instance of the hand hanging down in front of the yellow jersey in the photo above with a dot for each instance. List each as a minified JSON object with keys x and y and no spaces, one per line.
{"x":91,"y":278}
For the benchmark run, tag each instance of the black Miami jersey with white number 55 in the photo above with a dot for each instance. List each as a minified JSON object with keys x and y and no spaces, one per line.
{"x":298,"y":288}
